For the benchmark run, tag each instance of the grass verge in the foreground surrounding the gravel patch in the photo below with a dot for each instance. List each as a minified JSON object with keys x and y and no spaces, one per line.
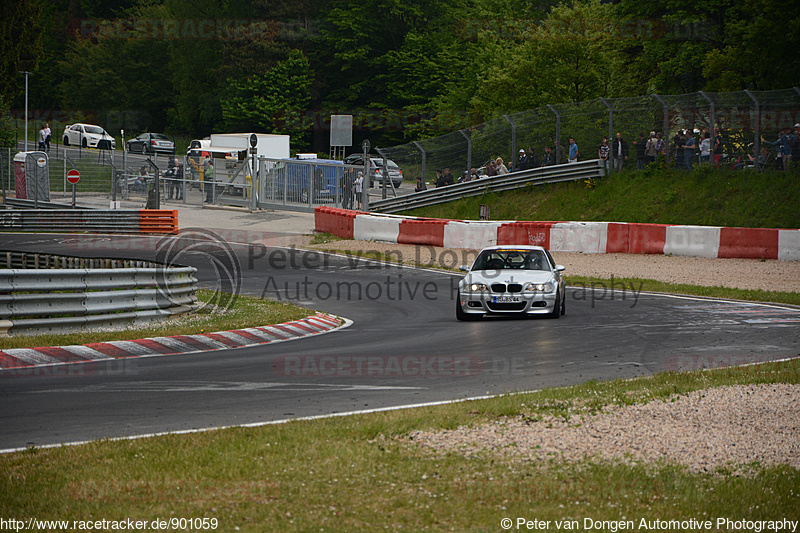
{"x":355,"y":474}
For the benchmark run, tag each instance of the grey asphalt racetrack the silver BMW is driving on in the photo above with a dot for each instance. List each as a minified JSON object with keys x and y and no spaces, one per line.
{"x":404,"y":347}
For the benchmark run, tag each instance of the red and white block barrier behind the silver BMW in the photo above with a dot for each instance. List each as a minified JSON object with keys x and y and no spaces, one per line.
{"x":584,"y":237}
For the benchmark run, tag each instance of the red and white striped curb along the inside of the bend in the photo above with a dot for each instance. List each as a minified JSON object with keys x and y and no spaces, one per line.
{"x":173,"y":345}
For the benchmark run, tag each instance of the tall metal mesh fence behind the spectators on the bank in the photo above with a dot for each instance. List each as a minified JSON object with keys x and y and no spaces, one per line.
{"x":744,"y":120}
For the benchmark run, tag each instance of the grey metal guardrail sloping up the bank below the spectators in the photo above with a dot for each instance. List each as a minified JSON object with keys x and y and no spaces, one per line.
{"x":538,"y":176}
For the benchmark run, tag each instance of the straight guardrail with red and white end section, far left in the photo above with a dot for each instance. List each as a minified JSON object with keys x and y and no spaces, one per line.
{"x":161,"y":221}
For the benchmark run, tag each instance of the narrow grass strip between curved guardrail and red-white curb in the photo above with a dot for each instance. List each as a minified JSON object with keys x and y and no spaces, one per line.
{"x":247,"y":311}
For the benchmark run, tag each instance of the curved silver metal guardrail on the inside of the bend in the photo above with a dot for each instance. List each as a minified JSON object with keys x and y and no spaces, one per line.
{"x":54,"y":300}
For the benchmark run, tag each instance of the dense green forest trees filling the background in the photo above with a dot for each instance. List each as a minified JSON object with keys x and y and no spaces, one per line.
{"x":422,"y":67}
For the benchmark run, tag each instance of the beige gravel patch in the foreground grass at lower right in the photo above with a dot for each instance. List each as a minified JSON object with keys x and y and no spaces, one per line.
{"x":705,"y":430}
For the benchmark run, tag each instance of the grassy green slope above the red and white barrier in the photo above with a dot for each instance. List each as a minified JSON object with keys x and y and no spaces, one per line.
{"x":705,"y":196}
